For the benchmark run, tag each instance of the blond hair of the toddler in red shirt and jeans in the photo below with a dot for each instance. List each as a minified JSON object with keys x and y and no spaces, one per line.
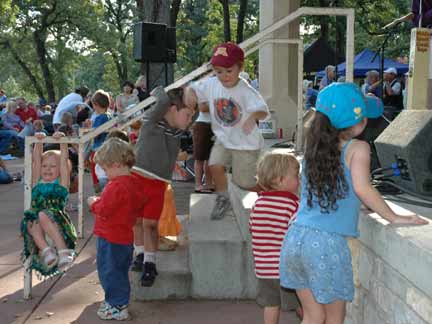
{"x":115,"y":150}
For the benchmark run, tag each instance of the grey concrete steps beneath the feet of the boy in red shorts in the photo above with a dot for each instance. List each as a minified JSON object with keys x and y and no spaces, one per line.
{"x":174,"y":279}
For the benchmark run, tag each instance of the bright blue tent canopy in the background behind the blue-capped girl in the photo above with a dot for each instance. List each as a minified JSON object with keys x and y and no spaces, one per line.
{"x":363,"y":63}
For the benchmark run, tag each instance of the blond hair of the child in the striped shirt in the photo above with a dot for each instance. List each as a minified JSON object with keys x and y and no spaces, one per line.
{"x":274,"y":166}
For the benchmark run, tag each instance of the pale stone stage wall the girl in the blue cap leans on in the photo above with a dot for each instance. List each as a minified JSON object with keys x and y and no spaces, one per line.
{"x":392,"y":273}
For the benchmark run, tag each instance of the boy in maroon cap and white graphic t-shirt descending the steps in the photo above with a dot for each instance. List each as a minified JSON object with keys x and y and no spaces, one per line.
{"x":235,"y":108}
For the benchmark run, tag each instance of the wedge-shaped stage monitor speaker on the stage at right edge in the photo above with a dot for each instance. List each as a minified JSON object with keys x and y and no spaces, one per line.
{"x":407,"y":141}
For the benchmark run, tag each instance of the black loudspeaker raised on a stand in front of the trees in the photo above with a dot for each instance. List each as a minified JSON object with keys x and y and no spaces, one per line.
{"x":154,"y":43}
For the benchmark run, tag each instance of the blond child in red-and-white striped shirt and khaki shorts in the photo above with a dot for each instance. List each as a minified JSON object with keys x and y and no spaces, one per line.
{"x":272,"y":214}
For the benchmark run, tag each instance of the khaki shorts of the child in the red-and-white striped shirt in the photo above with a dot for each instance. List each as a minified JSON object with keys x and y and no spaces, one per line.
{"x":270,"y":294}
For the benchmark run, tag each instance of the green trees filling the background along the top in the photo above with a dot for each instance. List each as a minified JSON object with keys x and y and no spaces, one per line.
{"x":50,"y":47}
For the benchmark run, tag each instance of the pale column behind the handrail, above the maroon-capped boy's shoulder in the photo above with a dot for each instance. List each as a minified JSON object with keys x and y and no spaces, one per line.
{"x":278,"y":64}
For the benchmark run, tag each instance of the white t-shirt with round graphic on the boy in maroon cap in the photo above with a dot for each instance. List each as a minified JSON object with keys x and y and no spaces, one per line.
{"x":229,"y":109}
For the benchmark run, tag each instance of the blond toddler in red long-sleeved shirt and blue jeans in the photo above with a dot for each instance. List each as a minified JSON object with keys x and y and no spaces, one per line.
{"x":115,"y":214}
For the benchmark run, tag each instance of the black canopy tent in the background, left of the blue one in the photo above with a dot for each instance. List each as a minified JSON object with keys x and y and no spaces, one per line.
{"x":318,"y":55}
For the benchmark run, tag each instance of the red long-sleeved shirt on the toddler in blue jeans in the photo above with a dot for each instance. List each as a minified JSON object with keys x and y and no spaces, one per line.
{"x":117,"y":208}
